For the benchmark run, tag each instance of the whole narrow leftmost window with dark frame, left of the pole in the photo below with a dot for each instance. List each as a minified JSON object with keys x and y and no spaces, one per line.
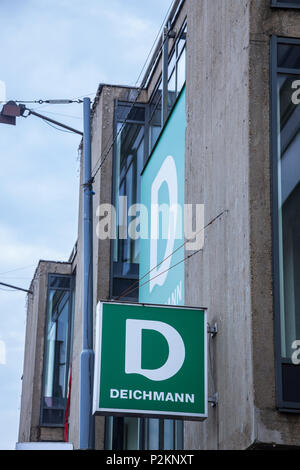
{"x":57,"y":349}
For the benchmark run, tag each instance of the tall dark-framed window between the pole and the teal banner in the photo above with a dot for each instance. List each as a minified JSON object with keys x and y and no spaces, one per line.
{"x":128,"y":164}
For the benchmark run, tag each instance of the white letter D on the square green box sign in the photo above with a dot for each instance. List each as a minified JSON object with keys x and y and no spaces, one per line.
{"x":133,"y":354}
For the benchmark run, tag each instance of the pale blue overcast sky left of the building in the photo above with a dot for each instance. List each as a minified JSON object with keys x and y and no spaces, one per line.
{"x":52,"y":49}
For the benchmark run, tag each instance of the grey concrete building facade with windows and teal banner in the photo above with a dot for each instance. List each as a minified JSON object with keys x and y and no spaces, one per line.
{"x":216,"y":118}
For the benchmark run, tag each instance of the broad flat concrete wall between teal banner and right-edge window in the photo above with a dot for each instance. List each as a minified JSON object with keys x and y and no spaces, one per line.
{"x":217,"y":175}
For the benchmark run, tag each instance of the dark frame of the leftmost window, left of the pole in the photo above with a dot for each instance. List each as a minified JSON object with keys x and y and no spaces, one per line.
{"x":70,"y":338}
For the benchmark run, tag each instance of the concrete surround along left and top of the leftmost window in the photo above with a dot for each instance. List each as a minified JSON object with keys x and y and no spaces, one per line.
{"x":29,"y":428}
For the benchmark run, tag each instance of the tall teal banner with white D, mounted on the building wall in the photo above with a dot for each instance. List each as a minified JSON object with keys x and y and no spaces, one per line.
{"x":162,"y":193}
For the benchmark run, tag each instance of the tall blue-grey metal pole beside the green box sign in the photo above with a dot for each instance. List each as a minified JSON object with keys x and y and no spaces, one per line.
{"x":87,"y":355}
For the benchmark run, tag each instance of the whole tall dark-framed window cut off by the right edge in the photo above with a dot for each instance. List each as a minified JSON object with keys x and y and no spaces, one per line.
{"x":286,"y":214}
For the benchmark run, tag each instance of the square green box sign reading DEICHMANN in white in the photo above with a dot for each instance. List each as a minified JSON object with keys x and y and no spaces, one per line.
{"x":151,"y":361}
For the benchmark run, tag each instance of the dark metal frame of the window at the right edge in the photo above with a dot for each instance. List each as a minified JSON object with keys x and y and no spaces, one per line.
{"x":275,"y":70}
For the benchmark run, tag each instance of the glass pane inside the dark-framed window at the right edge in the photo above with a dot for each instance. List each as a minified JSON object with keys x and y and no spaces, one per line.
{"x":289,"y":209}
